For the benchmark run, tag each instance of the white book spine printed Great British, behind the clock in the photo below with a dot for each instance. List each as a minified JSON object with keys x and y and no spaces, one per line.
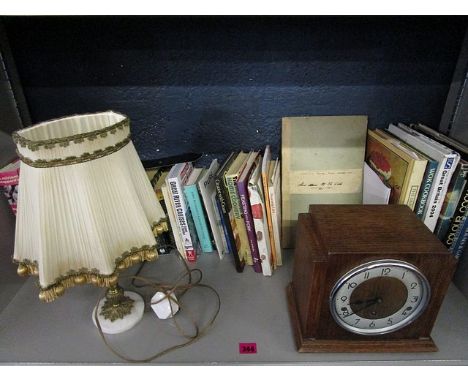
{"x":438,"y":191}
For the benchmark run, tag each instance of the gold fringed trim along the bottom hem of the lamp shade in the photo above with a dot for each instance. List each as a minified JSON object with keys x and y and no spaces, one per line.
{"x":88,"y":276}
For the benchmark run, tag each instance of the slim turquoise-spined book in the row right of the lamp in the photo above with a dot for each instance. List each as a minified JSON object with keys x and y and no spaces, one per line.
{"x":192,"y":196}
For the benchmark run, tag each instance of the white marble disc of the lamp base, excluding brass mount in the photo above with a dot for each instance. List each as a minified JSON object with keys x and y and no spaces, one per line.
{"x":123,"y":324}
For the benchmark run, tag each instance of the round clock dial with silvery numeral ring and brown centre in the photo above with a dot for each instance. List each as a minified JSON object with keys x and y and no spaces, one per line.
{"x":379,"y":297}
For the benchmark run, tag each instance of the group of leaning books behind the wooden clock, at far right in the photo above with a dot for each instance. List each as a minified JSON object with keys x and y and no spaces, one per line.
{"x":426,"y":171}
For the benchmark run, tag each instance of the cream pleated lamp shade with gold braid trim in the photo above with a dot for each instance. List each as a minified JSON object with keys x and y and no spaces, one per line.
{"x":86,"y":208}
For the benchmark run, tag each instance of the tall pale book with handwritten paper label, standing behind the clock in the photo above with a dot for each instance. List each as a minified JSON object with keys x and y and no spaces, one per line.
{"x":322,"y":162}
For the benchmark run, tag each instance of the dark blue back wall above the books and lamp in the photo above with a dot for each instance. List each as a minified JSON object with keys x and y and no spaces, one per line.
{"x":213,"y":85}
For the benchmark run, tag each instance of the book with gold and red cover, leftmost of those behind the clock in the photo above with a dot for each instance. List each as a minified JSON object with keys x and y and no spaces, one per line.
{"x":399,"y":166}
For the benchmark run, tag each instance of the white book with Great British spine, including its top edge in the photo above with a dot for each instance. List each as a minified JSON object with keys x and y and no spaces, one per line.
{"x":448,"y":160}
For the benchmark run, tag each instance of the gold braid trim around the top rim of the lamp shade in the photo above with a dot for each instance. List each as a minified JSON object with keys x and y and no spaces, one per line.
{"x":65,"y":141}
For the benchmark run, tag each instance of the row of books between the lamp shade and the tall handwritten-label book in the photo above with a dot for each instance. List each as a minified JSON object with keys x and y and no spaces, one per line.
{"x":232,"y":207}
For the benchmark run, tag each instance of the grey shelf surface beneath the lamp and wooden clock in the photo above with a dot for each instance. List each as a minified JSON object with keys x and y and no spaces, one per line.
{"x":253,"y":309}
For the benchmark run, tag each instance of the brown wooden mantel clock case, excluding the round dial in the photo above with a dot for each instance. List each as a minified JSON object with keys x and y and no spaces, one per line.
{"x":331,"y":240}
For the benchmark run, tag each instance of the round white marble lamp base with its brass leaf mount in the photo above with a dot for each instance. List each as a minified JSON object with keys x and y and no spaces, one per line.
{"x":119,"y":311}
